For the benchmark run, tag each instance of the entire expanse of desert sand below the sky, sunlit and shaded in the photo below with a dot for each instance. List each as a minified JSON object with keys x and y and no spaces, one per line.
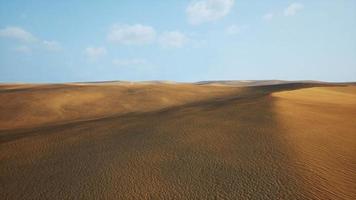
{"x":165,"y":140}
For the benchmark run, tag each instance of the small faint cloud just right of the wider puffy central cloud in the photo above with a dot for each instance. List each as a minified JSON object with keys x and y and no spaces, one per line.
{"x":173,"y":39}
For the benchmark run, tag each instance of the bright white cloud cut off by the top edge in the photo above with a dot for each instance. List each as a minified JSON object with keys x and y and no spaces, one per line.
{"x":208,"y":10}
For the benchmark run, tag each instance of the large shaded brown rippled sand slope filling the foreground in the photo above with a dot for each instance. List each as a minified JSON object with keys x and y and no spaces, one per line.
{"x":228,"y":148}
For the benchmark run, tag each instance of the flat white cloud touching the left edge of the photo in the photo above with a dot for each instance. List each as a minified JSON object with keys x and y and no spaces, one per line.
{"x":17,"y":33}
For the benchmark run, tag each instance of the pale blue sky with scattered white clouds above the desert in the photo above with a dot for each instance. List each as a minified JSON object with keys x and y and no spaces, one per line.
{"x":178,"y":40}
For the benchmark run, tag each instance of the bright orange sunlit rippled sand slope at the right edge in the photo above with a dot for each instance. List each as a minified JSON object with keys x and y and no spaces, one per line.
{"x":320,"y":126}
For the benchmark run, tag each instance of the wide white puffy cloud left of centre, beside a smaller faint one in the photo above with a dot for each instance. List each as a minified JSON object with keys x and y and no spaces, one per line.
{"x":132,"y":34}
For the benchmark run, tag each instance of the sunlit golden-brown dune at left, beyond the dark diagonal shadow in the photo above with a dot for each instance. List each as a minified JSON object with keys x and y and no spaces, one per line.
{"x":24,"y":106}
